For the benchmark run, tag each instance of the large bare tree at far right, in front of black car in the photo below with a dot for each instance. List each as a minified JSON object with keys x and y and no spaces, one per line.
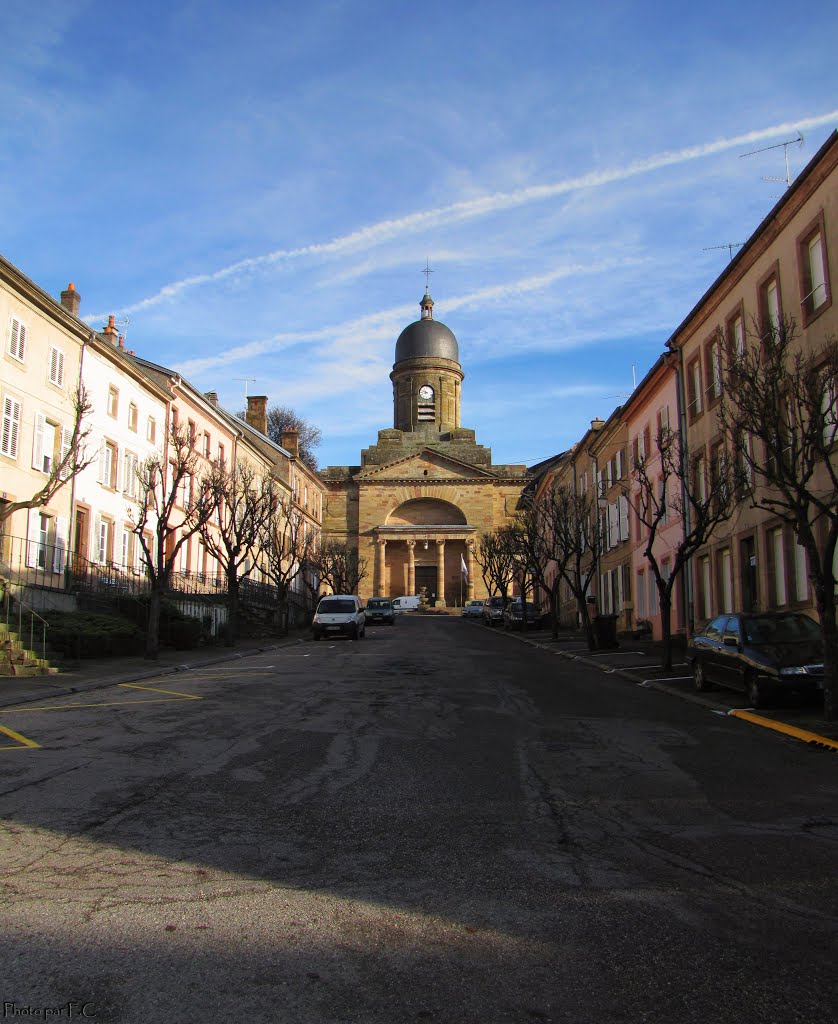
{"x":780,"y":412}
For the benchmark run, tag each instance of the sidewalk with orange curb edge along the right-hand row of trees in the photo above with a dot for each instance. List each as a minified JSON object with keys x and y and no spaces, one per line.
{"x":640,"y":662}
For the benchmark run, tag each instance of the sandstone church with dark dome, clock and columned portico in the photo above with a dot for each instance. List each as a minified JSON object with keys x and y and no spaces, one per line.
{"x":427,"y":492}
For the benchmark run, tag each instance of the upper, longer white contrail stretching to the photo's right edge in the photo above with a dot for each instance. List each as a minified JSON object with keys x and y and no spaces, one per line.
{"x":478,"y":207}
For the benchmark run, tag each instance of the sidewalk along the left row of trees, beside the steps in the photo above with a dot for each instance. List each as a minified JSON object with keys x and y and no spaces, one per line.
{"x":94,"y":674}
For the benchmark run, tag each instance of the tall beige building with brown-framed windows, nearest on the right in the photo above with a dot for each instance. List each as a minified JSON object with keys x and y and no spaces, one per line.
{"x":786,"y":269}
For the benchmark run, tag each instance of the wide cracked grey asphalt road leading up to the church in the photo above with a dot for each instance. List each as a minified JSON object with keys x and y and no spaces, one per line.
{"x":437,"y":824}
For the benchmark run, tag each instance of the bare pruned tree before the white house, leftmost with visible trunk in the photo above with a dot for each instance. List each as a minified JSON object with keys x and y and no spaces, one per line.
{"x":175,"y":502}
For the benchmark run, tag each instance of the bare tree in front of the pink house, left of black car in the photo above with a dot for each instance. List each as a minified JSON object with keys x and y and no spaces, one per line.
{"x":673,"y":484}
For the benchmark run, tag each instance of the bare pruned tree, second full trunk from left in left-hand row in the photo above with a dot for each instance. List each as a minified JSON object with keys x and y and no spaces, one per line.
{"x":243,"y":502}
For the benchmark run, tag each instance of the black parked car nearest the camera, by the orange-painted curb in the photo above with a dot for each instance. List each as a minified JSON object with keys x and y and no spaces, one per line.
{"x":760,"y":654}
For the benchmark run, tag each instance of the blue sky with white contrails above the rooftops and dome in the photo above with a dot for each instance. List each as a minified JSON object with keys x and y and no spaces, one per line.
{"x":257,"y":187}
